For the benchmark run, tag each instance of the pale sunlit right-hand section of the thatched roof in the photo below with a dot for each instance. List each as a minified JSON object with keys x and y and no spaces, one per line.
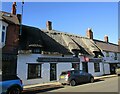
{"x":72,"y":42}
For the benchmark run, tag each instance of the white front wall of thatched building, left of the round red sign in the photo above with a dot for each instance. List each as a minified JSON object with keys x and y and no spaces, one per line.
{"x":22,"y":68}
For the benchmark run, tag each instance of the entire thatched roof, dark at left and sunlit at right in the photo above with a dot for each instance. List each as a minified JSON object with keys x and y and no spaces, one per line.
{"x":56,"y":41}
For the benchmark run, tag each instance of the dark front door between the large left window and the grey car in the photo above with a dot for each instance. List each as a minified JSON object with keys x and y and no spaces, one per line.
{"x":53,"y":72}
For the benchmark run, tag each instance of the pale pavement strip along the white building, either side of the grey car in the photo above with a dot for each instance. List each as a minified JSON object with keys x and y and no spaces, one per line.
{"x":56,"y":84}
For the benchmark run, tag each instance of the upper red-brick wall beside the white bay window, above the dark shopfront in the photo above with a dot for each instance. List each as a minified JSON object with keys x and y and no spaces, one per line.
{"x":12,"y":36}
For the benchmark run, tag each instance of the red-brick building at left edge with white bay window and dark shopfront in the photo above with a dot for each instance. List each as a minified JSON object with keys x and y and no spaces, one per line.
{"x":9,"y":25}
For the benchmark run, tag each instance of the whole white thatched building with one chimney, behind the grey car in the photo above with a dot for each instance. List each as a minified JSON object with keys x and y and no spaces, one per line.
{"x":44,"y":54}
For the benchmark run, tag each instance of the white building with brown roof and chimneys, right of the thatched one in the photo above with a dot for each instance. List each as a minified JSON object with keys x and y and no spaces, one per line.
{"x":111,"y":53}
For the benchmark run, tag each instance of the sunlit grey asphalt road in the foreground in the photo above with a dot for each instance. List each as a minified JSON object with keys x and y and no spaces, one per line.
{"x":109,"y":85}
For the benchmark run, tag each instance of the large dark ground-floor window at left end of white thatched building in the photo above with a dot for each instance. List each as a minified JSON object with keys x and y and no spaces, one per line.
{"x":34,"y":71}
